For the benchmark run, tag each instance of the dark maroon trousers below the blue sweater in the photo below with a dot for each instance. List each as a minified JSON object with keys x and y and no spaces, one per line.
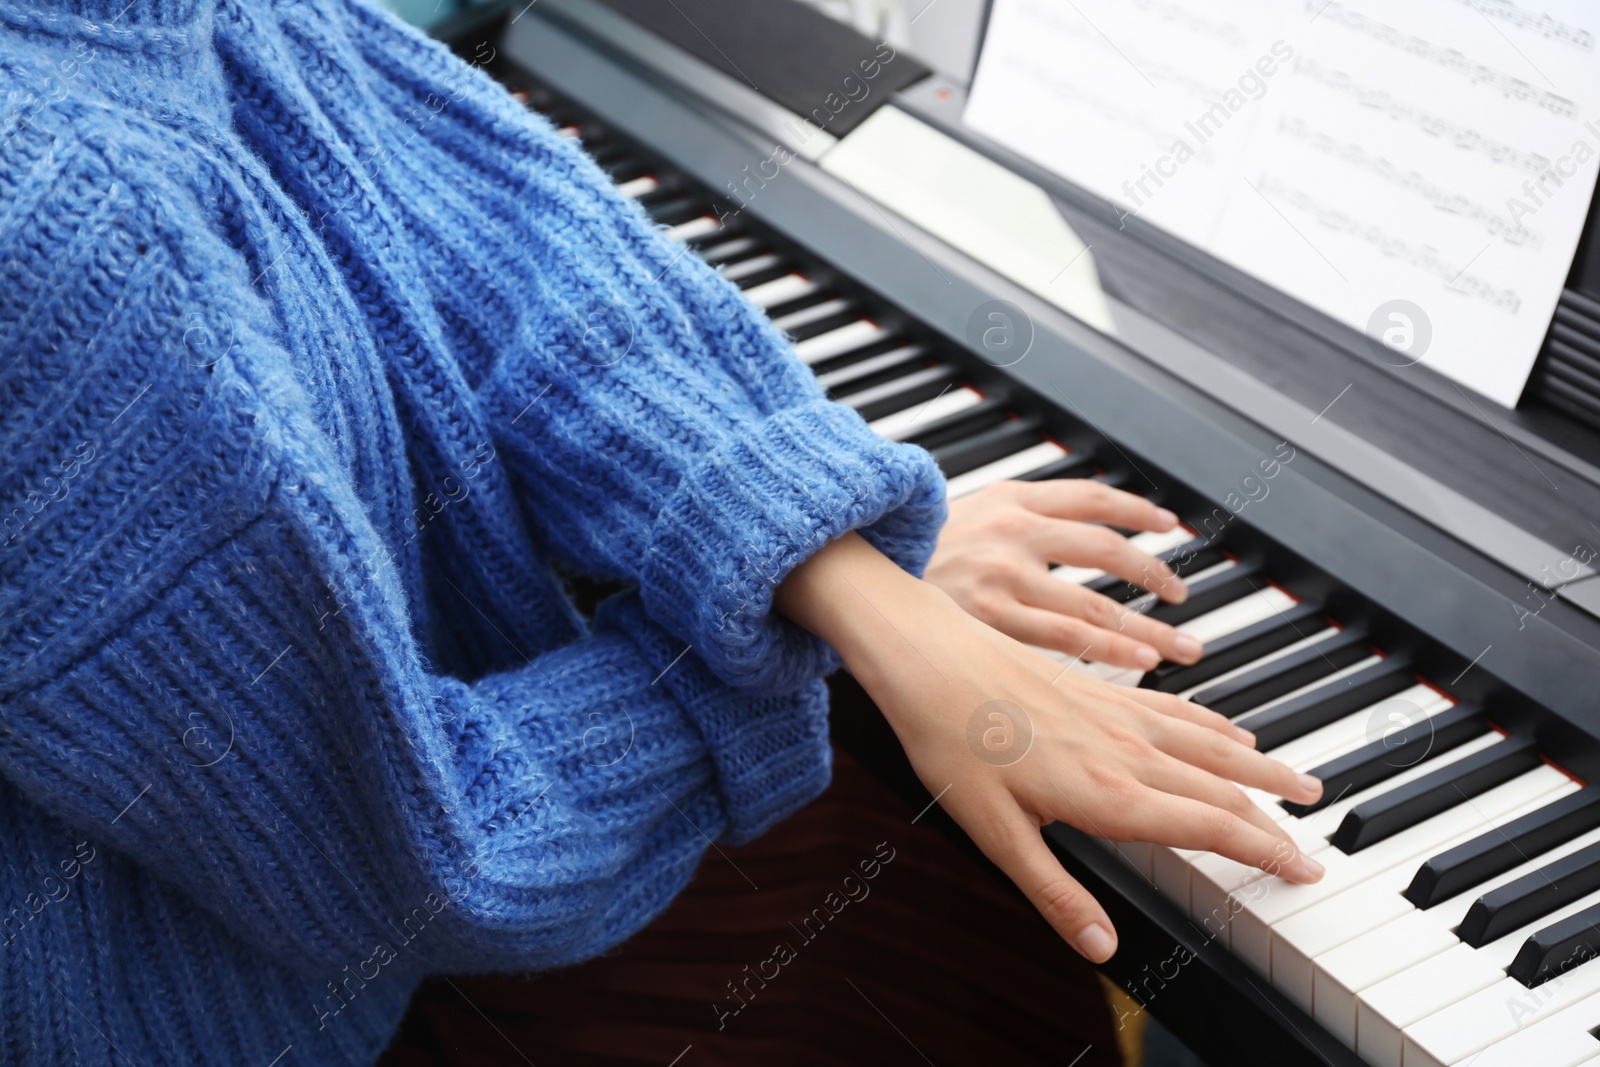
{"x":788,"y":953}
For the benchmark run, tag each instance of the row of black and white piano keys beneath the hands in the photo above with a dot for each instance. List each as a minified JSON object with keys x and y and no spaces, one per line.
{"x":1460,"y":916}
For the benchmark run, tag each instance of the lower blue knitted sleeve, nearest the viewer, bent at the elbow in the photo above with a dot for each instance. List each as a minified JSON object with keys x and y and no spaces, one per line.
{"x":174,"y":685}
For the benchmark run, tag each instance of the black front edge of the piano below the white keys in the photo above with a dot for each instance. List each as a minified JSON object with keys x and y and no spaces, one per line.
{"x":1210,"y":1001}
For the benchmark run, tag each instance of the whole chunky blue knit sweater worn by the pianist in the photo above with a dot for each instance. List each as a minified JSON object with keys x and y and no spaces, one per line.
{"x":319,"y":354}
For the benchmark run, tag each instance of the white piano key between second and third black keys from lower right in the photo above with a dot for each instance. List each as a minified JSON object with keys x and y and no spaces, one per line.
{"x":1406,"y":941}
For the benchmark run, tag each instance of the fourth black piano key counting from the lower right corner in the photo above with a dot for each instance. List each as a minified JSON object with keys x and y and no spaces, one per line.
{"x":1404,"y":807}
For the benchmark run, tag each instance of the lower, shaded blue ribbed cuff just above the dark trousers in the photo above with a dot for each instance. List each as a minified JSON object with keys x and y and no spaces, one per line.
{"x":772,"y":753}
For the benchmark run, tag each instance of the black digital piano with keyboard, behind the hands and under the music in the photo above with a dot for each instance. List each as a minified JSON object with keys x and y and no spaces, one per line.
{"x":1396,"y":580}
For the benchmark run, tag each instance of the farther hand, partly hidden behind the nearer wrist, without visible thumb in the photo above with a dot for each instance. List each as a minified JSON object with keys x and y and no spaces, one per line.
{"x":998,"y":548}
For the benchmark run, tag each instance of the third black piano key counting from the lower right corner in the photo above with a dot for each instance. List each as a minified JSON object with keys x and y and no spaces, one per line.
{"x":1497,"y":852}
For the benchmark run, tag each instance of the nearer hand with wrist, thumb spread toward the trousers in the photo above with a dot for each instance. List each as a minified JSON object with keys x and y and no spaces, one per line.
{"x":1009,"y":751}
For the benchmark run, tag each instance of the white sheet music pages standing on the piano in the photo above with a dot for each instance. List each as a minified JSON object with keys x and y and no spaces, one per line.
{"x":1420,"y":172}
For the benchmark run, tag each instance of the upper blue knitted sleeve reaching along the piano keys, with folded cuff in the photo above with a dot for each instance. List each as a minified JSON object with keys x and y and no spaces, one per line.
{"x":660,"y":428}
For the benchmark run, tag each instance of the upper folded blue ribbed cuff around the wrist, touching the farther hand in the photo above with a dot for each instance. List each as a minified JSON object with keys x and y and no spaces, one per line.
{"x":761,"y":505}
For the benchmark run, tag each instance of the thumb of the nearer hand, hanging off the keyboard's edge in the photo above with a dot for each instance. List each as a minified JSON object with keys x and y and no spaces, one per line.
{"x":1017,"y":849}
